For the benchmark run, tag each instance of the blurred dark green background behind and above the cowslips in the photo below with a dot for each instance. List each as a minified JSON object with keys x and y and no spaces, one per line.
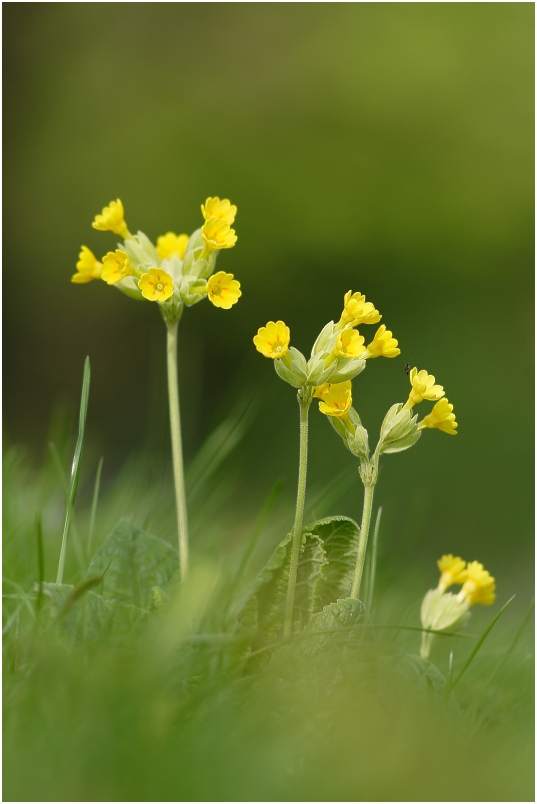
{"x":383,"y":147}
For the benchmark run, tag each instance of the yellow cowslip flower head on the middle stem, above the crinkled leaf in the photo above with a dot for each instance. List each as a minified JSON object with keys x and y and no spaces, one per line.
{"x":338,"y":354}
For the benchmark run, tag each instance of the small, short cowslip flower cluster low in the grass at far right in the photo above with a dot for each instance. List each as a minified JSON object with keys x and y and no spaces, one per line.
{"x":444,"y":611}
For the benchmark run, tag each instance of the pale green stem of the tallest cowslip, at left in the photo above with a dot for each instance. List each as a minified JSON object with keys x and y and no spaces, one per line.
{"x":177,"y":450}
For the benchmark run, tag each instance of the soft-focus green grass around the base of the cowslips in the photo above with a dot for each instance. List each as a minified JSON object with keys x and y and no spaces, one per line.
{"x":164,"y":713}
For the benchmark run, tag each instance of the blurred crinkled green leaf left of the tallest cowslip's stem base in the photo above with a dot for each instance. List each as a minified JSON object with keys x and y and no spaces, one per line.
{"x":133,"y":562}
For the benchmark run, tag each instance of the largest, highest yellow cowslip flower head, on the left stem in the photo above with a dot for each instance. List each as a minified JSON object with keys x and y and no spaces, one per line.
{"x":177,"y":272}
